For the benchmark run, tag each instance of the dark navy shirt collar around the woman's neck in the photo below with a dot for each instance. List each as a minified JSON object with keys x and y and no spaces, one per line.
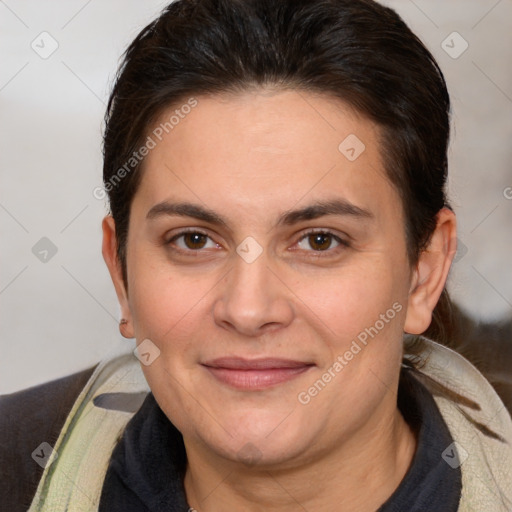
{"x":148,"y":464}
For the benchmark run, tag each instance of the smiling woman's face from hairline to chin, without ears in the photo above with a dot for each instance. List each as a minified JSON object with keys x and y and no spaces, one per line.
{"x":267,"y":264}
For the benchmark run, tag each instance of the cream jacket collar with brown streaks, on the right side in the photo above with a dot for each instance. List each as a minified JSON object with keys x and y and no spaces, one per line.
{"x":479,"y":423}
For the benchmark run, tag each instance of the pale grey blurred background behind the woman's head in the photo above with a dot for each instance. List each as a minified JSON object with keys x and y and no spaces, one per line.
{"x":58,"y":308}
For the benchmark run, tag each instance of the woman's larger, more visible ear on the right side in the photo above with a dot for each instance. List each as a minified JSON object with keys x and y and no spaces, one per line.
{"x":429,"y":276}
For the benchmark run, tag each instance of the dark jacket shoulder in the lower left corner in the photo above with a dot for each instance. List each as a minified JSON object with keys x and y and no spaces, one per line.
{"x":28,"y":418}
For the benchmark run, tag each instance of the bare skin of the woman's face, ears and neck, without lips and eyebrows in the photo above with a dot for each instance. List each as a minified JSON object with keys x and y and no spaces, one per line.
{"x":250,"y":158}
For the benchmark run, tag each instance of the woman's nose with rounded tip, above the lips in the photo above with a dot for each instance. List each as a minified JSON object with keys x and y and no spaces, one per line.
{"x":253,"y":299}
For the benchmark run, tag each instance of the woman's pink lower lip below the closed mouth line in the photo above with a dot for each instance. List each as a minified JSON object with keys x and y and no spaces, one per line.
{"x":254,"y":380}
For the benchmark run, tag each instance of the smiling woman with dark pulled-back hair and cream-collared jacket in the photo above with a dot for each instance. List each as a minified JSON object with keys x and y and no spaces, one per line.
{"x":279,"y":239}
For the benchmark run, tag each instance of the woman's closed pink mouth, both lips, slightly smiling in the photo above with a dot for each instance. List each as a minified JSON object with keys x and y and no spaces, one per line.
{"x":255,"y":374}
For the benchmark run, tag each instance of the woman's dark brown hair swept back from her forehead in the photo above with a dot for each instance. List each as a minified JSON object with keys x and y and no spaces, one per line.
{"x":355,"y":50}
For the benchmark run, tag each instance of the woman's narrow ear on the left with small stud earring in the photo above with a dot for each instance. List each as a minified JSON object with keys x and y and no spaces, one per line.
{"x":109,"y":251}
